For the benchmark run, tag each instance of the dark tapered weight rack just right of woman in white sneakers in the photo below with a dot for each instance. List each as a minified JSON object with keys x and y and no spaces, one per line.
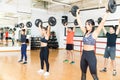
{"x":52,"y":42}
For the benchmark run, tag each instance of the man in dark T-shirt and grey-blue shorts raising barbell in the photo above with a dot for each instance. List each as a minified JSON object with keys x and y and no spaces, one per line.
{"x":110,"y":50}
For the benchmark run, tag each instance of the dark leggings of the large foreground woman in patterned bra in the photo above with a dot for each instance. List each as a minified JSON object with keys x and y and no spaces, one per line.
{"x":89,"y":59}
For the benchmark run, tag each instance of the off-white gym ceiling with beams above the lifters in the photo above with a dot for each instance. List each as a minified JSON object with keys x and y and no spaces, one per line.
{"x":60,"y":5}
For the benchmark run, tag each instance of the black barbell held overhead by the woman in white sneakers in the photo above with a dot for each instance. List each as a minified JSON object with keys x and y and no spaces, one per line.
{"x":51,"y":21}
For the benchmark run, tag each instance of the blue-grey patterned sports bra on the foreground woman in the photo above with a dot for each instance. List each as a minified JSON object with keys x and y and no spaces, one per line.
{"x":89,"y":40}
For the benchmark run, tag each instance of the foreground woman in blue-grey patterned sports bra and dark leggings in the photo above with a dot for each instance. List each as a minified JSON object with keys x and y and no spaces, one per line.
{"x":88,"y":57}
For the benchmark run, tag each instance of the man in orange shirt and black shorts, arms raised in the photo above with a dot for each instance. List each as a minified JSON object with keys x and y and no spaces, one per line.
{"x":69,"y":44}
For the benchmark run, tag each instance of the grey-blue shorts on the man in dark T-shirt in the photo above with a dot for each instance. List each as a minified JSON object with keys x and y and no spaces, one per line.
{"x":110,"y":52}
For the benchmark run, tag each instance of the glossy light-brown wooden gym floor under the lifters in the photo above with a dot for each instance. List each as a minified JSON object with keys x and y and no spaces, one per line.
{"x":10,"y":69}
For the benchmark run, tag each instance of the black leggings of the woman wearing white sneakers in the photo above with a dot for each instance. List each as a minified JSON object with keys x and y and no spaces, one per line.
{"x":44,"y":55}
